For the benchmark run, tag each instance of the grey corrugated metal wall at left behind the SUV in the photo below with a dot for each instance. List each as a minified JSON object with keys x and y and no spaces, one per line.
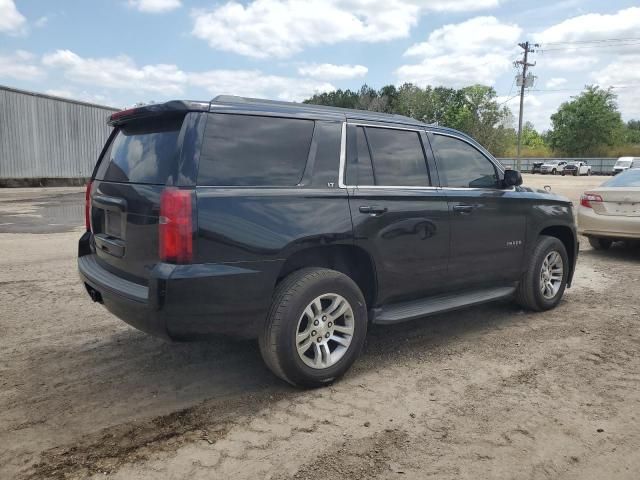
{"x":48,"y":137}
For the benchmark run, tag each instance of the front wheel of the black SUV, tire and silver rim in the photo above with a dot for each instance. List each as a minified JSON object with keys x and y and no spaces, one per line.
{"x":543,"y":285}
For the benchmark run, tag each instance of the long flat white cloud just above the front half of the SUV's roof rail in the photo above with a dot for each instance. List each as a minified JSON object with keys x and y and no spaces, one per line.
{"x":253,"y":83}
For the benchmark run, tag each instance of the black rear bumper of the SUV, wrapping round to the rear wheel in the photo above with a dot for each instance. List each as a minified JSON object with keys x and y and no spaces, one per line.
{"x":185,"y":301}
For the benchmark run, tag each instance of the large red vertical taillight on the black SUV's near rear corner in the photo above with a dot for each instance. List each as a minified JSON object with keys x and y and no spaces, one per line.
{"x":176,"y":226}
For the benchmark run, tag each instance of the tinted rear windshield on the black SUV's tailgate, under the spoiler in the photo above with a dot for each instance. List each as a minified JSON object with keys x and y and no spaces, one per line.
{"x":143,"y":151}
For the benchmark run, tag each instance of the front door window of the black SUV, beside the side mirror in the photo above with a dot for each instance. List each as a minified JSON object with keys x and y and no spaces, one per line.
{"x":463,"y":166}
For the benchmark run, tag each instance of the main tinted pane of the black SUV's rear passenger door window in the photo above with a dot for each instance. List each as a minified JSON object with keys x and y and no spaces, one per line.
{"x":397,"y":157}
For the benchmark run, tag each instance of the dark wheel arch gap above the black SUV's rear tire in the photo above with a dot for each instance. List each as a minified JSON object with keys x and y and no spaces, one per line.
{"x":351,"y":260}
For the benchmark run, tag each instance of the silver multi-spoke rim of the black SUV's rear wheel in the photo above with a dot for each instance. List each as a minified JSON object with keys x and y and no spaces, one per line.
{"x":325,"y":331}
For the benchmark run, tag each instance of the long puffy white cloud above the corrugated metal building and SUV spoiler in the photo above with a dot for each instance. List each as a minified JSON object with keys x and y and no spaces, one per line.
{"x":118,"y":72}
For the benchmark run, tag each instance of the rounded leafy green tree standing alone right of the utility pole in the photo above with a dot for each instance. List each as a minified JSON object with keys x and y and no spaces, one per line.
{"x":586,"y":125}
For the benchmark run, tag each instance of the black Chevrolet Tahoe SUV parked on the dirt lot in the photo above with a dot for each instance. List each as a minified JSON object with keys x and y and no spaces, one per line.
{"x":299,"y":225}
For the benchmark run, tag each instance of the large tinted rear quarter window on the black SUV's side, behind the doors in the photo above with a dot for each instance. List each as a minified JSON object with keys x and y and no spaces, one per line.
{"x":246,"y":150}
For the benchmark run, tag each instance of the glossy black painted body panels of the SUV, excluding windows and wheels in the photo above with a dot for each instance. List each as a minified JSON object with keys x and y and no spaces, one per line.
{"x":246,"y":238}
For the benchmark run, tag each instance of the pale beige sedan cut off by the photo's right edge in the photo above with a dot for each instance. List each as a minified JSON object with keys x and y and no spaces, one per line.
{"x":612,"y":211}
